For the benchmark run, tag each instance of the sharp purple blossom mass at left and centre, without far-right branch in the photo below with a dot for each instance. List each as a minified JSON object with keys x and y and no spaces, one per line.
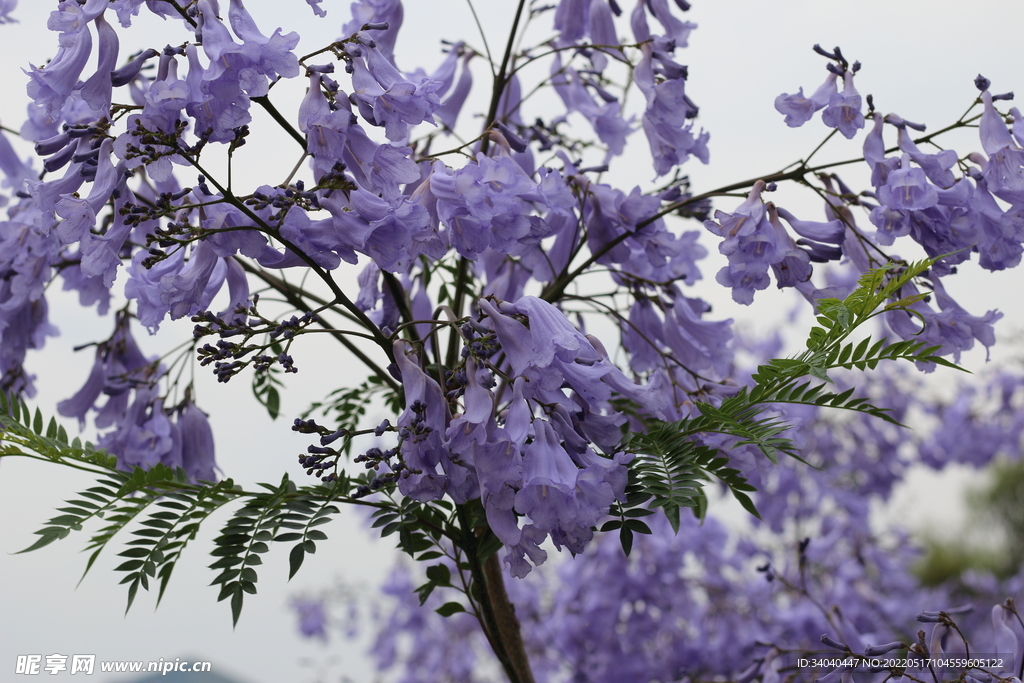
{"x":369,"y":199}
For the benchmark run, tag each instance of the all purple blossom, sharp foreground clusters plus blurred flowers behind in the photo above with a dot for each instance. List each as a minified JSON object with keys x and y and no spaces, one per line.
{"x":492,"y":258}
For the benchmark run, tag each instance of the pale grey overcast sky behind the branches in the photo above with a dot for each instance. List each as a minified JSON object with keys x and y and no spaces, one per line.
{"x":920,"y":59}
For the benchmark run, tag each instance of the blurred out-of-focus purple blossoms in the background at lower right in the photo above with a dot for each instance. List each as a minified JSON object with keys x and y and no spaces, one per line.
{"x":717,"y":601}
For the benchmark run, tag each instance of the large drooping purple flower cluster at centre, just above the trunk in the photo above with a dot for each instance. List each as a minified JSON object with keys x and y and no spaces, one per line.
{"x":566,"y":487}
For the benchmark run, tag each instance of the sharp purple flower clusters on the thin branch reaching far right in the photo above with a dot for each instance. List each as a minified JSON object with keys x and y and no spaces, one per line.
{"x":942,"y":202}
